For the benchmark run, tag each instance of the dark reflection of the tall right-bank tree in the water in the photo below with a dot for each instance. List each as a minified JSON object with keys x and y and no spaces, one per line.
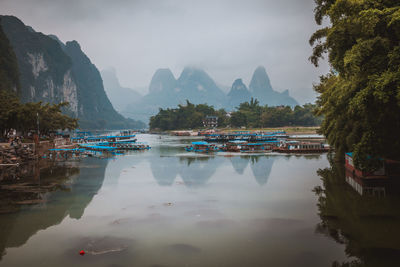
{"x":368,"y":226}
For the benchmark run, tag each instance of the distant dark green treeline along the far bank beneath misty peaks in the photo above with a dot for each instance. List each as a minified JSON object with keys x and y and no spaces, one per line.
{"x":248,"y":114}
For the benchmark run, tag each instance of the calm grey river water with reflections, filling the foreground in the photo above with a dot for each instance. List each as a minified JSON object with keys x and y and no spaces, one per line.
{"x":167,"y":207}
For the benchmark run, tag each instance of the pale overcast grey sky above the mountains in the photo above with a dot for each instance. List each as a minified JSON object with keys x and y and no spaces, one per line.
{"x":227,"y":38}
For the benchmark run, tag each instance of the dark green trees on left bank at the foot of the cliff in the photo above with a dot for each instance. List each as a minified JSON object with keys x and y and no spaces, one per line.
{"x":23,"y":117}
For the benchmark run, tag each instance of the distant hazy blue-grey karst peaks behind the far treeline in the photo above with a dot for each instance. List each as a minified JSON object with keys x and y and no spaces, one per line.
{"x":195,"y":85}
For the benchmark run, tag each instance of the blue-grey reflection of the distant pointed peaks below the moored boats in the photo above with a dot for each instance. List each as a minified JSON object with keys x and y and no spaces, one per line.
{"x":196,"y":171}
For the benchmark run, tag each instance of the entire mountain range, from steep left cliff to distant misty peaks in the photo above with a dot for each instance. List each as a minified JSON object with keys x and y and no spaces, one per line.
{"x":52,"y":72}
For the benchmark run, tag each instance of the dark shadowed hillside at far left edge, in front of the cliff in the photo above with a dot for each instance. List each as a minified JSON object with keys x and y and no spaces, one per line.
{"x":8,"y":65}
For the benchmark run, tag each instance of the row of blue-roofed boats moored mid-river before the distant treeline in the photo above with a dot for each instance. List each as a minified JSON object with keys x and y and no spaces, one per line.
{"x":255,"y":143}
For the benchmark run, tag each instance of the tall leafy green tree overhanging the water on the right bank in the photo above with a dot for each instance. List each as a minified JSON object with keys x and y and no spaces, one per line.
{"x":360,"y":98}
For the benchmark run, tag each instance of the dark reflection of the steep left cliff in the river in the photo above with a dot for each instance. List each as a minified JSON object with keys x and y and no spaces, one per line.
{"x":17,"y":228}
